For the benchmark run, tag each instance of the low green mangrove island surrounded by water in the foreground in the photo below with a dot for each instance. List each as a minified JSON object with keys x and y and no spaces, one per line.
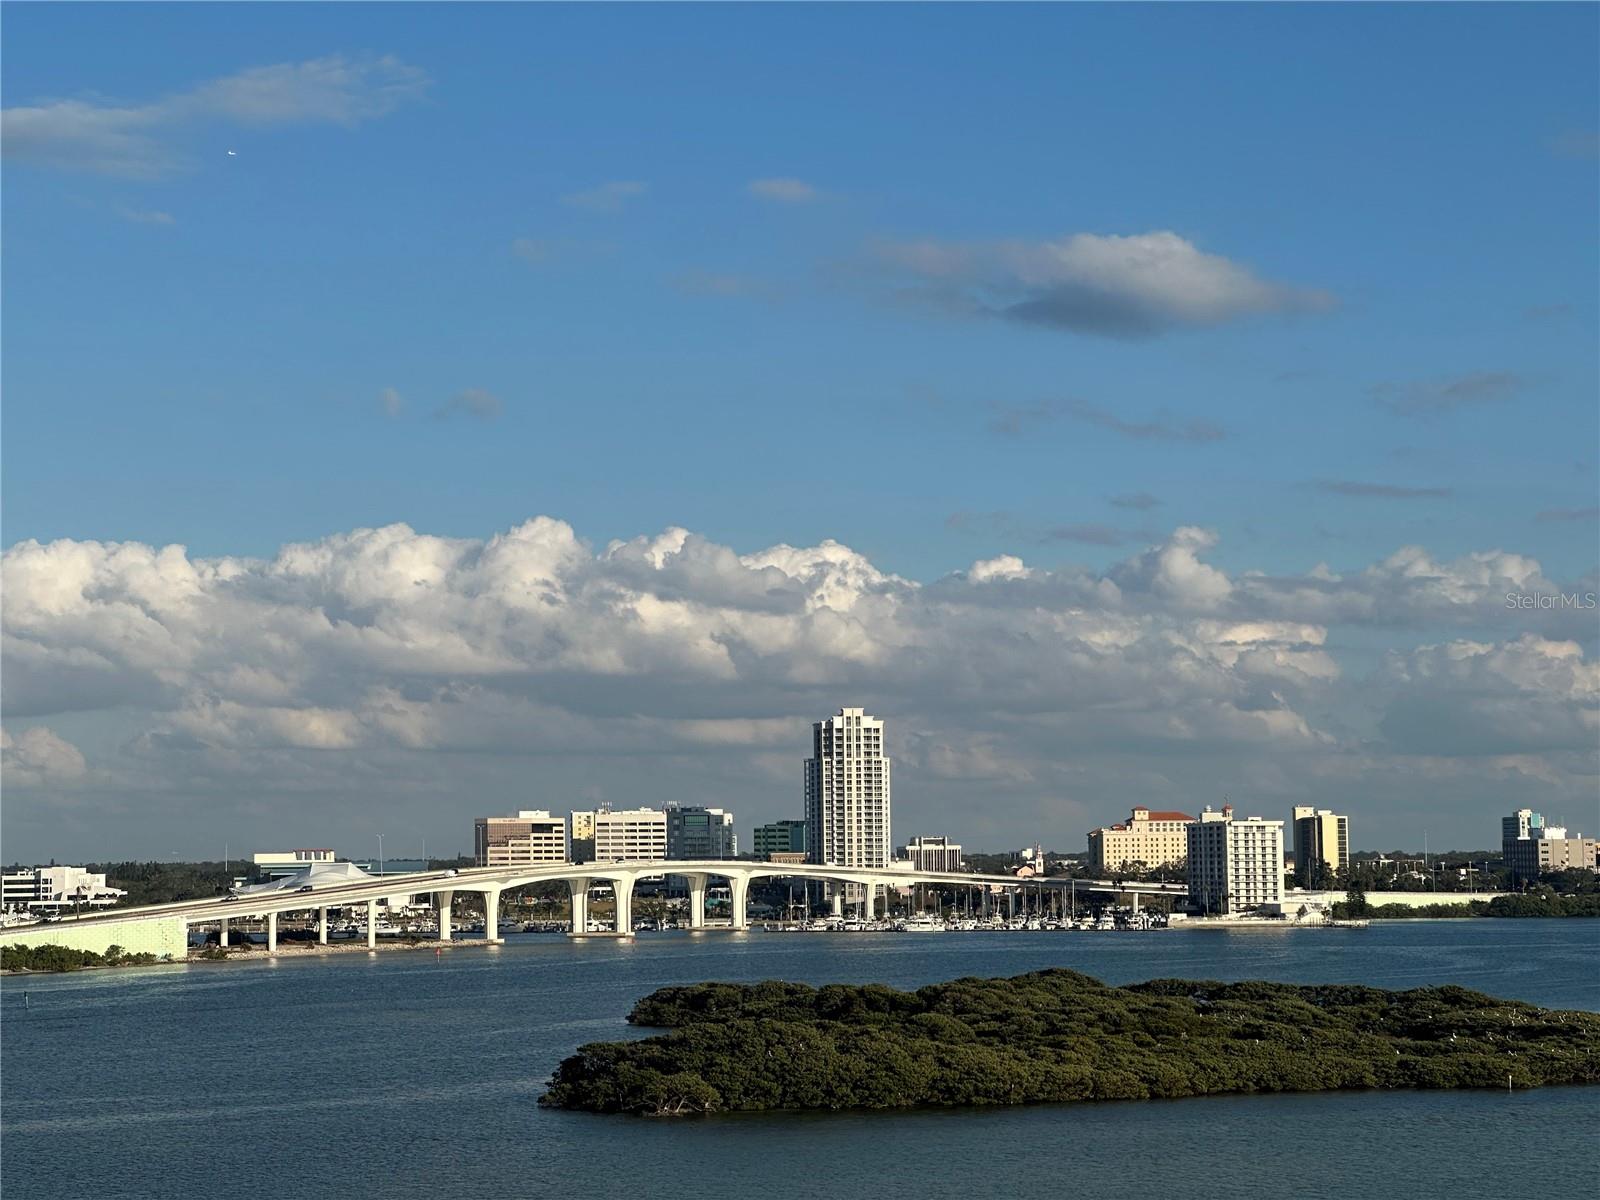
{"x":1062,"y":1036}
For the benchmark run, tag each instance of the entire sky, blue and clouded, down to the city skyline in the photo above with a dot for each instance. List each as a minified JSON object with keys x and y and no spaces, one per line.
{"x":415,"y":414}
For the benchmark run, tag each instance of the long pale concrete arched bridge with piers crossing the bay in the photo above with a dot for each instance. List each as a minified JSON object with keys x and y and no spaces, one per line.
{"x":490,"y":882}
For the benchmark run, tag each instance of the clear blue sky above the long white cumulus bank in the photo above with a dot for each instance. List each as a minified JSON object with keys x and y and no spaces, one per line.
{"x":474,"y":265}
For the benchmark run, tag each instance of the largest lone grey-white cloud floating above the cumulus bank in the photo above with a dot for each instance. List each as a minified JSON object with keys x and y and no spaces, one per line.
{"x":1119,"y":287}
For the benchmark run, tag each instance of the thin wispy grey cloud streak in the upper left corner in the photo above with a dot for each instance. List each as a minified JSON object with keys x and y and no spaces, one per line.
{"x":140,"y":142}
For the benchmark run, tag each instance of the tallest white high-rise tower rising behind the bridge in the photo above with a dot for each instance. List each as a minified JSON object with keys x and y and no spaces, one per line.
{"x":847,"y":793}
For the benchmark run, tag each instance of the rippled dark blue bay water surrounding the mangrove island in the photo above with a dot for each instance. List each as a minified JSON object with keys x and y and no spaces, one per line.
{"x":410,"y":1076}
